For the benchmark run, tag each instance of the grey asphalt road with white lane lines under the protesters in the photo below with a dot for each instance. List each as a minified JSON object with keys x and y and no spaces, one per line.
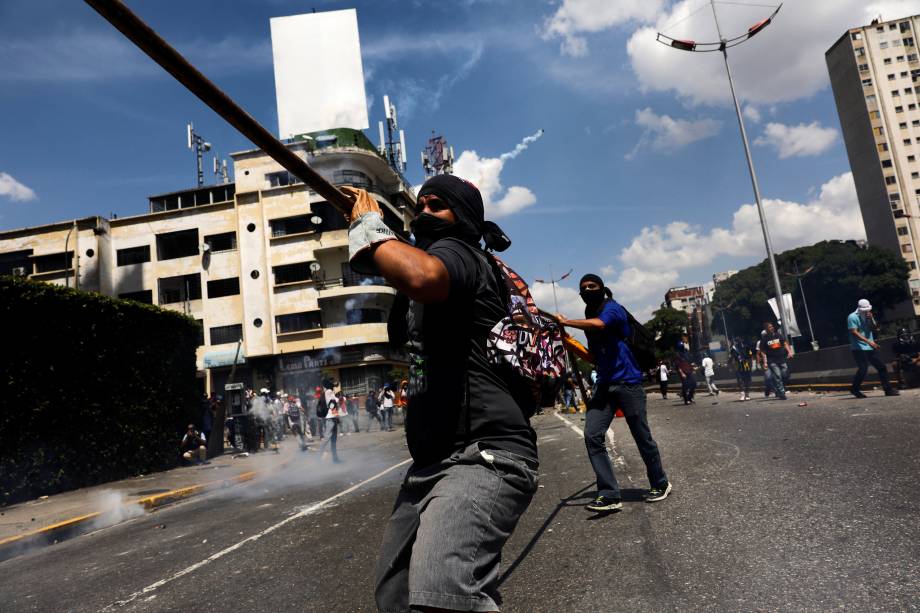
{"x":775,"y":507}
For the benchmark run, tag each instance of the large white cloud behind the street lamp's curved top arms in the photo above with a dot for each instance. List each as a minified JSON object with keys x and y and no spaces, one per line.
{"x":785,"y":62}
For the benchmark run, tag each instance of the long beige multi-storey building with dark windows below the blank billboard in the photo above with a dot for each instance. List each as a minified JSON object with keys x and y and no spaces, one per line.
{"x":263,"y":261}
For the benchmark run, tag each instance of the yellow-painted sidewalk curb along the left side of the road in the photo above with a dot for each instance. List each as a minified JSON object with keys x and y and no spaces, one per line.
{"x":12,"y":546}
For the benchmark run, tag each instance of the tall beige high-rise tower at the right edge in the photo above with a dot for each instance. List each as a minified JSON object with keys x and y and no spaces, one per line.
{"x":875,"y":75}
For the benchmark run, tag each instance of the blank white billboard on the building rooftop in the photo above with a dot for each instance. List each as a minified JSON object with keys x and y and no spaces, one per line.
{"x":319,"y":79}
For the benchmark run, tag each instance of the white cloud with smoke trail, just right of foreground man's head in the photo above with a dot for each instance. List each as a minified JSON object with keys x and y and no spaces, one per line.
{"x":485,"y":173}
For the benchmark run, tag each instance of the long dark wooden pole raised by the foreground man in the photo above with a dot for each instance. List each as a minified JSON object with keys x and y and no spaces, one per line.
{"x":142,"y":35}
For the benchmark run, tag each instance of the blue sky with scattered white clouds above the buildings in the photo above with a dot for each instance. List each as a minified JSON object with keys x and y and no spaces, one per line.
{"x":639,"y":174}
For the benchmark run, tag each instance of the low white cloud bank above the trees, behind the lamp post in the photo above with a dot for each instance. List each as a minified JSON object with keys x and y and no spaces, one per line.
{"x":655,"y":258}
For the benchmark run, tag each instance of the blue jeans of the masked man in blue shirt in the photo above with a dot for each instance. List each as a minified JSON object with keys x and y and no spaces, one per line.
{"x":630,"y":398}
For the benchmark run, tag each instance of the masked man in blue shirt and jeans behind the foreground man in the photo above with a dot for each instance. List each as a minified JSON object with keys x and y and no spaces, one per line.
{"x":619,"y":386}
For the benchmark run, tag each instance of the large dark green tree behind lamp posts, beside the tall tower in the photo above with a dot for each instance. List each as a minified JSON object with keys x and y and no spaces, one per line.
{"x":843,"y":273}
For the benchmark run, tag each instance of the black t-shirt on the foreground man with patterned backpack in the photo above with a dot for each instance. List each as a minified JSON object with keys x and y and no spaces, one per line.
{"x":452,"y":373}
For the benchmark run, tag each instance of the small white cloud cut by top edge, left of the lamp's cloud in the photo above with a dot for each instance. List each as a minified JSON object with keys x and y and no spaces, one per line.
{"x":580,"y":16}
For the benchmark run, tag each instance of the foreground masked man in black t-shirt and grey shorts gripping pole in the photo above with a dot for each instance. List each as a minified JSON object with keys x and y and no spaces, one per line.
{"x":473,"y":450}
